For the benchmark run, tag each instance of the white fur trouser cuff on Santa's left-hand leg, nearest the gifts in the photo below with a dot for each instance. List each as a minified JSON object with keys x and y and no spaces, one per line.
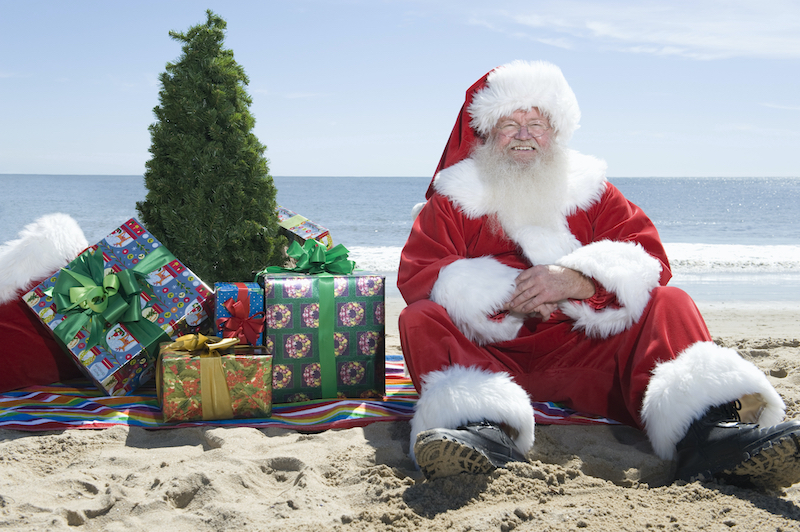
{"x":458,"y":395}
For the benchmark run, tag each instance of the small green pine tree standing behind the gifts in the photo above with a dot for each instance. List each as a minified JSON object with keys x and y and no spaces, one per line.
{"x":210,"y":199}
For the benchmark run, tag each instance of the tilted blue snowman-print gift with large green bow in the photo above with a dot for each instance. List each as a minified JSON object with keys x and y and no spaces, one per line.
{"x":111,"y":307}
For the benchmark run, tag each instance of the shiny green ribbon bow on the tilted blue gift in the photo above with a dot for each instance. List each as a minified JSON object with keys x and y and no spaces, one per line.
{"x":89,"y":298}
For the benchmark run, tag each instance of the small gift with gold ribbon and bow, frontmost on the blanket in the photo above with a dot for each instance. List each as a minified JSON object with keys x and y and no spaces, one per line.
{"x":207,"y":378}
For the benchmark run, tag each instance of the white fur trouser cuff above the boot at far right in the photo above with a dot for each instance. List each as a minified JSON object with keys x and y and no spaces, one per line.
{"x":702,"y":376}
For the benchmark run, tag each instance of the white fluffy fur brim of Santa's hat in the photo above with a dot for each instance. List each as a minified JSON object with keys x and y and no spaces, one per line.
{"x":524,"y":85}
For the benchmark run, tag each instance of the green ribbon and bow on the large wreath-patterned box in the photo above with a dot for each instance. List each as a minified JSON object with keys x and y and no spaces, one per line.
{"x":314,"y":258}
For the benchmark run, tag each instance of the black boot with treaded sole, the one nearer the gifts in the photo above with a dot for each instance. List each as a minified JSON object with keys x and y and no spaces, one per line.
{"x":472,"y":448}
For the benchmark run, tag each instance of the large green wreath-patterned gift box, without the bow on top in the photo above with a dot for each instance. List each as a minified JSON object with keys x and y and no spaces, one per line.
{"x":319,"y":357}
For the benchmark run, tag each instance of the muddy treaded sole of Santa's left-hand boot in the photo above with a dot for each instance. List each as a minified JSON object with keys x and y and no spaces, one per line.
{"x":439,"y":457}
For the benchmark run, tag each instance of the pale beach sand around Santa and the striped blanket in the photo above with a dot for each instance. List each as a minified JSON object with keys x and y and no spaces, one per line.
{"x":579,"y":477}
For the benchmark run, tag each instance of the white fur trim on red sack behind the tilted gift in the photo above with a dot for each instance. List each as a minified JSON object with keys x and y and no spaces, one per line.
{"x":43,"y":247}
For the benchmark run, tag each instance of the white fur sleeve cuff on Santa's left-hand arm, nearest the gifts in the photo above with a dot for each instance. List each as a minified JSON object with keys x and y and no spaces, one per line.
{"x":471,"y":290}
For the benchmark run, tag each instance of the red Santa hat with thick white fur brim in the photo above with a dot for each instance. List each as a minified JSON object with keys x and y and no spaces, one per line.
{"x":507,"y":88}
